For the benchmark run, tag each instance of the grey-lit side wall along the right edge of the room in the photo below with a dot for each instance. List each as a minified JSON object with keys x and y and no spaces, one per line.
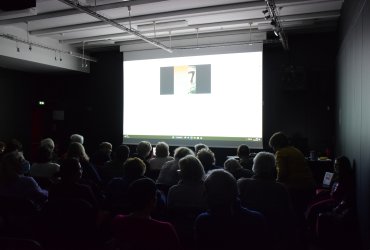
{"x":352,"y":112}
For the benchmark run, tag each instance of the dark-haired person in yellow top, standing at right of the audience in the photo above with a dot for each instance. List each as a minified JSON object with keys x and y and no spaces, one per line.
{"x":293,"y":172}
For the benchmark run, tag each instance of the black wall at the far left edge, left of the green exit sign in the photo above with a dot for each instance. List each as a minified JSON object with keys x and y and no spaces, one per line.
{"x":15,"y":108}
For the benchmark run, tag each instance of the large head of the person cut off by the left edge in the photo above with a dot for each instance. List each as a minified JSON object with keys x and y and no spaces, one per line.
{"x":10,"y":166}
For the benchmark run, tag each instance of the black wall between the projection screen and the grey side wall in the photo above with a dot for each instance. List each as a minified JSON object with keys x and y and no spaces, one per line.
{"x":298,"y":90}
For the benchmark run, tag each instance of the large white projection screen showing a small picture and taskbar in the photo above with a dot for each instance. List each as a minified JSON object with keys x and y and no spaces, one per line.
{"x":190,"y":96}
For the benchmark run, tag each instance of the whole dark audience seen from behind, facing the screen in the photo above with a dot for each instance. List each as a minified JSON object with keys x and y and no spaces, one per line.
{"x":140,"y":199}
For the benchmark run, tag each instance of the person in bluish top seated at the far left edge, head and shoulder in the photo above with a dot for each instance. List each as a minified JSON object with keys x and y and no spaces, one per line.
{"x":14,"y":184}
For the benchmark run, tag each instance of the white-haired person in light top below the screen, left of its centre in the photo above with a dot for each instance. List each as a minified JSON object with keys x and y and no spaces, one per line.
{"x":161,"y":156}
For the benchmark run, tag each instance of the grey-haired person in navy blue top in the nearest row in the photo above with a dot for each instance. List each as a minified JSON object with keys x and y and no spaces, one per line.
{"x":227,"y":225}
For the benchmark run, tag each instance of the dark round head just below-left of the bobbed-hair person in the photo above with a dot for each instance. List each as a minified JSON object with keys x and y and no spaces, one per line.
{"x":70,"y":170}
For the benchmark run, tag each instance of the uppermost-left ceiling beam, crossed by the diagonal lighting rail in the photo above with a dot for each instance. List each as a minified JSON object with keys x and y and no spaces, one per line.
{"x":69,"y":12}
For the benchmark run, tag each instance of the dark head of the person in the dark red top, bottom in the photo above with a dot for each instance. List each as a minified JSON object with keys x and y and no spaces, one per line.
{"x":142,"y":195}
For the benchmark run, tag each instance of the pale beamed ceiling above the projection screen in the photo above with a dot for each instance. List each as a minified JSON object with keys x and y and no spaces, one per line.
{"x":164,"y":20}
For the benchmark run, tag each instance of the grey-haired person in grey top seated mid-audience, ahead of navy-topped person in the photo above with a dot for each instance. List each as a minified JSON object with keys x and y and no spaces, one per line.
{"x":190,"y":191}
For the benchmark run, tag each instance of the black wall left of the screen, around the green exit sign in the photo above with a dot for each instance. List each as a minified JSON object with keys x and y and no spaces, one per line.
{"x":92,"y":103}
